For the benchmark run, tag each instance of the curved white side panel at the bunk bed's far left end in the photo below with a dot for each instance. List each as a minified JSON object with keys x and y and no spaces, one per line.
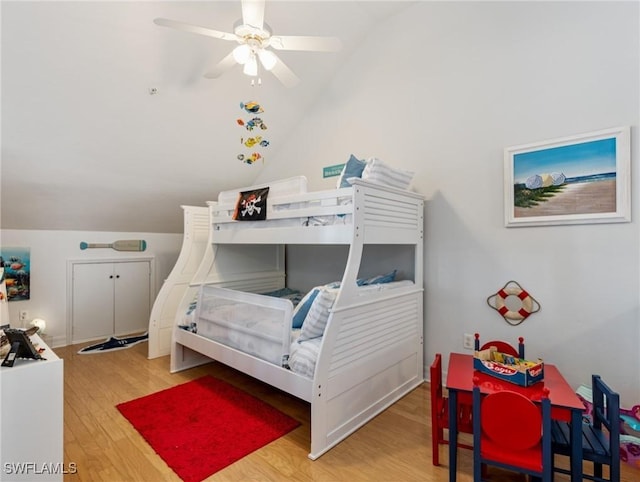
{"x":176,"y":287}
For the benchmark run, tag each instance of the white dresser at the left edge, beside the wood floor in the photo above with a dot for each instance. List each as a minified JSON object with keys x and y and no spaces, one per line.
{"x":31,"y":418}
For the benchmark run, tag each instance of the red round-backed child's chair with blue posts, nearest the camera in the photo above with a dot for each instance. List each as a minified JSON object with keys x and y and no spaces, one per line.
{"x":513,"y":433}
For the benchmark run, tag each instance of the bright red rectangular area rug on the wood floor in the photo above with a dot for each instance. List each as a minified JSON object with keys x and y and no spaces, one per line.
{"x":204,"y":425}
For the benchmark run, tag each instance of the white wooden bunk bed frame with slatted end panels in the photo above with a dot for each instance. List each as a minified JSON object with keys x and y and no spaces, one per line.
{"x":371,"y":352}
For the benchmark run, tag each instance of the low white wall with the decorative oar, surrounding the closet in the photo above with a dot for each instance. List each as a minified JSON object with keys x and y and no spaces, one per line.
{"x":50,"y":252}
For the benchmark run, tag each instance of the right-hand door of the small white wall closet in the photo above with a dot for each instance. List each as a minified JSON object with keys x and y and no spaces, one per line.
{"x":132,"y":297}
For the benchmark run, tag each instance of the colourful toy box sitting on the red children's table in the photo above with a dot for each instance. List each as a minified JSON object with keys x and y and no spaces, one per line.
{"x":507,"y":367}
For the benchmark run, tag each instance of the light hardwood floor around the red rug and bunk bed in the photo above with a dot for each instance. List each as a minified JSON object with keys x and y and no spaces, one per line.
{"x":395,"y":446}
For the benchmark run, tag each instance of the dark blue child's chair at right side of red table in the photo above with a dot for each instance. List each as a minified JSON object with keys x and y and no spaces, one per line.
{"x":600,"y":436}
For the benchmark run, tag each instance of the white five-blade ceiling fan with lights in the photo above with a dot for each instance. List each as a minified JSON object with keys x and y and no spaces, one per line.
{"x":255,"y":41}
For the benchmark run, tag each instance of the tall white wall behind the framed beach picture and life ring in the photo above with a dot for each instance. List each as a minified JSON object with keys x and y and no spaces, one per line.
{"x":441,"y":89}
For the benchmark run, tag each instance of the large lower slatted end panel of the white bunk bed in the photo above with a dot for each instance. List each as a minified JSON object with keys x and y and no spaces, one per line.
{"x":373,"y":357}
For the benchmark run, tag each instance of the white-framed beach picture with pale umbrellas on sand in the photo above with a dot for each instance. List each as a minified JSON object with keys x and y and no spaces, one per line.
{"x":582,"y":179}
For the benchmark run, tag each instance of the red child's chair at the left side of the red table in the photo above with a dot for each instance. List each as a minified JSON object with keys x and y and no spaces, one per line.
{"x":440,"y":412}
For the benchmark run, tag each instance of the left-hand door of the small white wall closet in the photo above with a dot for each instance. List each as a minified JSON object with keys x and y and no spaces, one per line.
{"x":92,"y":301}
